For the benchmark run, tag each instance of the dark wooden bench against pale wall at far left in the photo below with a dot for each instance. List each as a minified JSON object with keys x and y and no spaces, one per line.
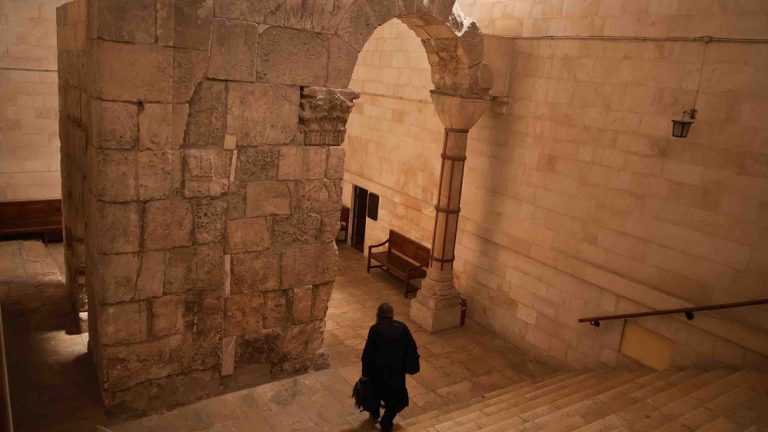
{"x":31,"y":217}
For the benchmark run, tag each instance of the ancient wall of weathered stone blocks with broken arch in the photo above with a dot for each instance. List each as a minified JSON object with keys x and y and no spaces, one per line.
{"x":213,"y":180}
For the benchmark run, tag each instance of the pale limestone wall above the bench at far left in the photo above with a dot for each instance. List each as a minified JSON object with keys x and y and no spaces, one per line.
{"x":29,"y":139}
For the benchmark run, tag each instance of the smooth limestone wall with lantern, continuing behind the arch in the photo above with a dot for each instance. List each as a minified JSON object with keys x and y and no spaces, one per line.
{"x":578,"y":201}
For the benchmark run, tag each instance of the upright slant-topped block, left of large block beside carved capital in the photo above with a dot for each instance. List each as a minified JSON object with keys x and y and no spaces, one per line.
{"x":206,"y":123}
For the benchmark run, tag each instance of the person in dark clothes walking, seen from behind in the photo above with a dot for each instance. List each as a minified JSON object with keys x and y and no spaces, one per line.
{"x":390,"y":352}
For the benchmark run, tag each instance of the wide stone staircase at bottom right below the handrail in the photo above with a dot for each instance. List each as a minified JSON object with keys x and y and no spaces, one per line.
{"x":719,"y":400}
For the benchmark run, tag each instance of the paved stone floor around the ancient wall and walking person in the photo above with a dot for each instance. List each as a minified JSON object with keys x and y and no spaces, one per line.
{"x":54,"y":389}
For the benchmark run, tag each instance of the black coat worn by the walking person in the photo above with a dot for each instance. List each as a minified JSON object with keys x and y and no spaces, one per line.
{"x":386,"y":349}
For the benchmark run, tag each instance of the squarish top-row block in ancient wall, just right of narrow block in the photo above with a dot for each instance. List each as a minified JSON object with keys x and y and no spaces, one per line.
{"x":185,"y":24}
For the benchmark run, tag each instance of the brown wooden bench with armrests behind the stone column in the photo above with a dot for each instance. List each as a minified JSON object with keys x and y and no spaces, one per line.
{"x":404,"y":258}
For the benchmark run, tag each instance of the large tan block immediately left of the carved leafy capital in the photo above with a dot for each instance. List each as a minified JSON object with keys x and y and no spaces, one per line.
{"x":260,"y":114}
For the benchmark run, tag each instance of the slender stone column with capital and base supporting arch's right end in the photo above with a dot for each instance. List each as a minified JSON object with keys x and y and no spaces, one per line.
{"x":436,"y":306}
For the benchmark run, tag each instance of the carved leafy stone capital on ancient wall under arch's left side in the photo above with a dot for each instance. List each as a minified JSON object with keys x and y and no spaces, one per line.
{"x":324,"y":114}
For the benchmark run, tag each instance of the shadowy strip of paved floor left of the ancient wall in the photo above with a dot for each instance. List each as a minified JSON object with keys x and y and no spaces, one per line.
{"x":53,"y":385}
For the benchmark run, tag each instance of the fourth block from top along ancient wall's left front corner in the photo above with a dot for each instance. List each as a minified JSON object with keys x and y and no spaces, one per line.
{"x":114,"y":175}
